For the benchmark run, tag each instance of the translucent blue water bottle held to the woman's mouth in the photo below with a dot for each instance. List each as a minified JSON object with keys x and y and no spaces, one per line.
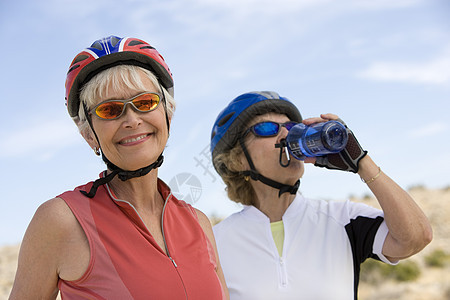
{"x":317,"y":139}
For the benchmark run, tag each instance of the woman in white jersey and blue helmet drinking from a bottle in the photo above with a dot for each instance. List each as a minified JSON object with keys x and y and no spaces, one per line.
{"x":283,"y":245}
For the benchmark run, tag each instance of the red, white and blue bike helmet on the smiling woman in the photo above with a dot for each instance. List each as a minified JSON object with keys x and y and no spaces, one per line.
{"x":109,"y":52}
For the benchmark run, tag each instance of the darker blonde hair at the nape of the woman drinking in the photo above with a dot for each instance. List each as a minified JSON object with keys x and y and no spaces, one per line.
{"x":238,"y":189}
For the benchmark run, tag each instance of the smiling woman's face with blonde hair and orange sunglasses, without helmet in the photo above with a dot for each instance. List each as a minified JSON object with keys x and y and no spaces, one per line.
{"x":115,"y":119}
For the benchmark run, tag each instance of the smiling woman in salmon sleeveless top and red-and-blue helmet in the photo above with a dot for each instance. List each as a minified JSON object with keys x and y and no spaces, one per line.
{"x":123,"y":236}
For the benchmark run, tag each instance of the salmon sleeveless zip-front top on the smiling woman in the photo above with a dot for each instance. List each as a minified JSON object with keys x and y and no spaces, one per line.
{"x":127,"y":263}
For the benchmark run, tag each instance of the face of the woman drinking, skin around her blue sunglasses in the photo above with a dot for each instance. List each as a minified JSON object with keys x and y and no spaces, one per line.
{"x":266,"y":157}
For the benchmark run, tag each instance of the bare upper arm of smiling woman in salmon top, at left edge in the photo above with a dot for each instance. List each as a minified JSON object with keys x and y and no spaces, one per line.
{"x":44,"y":254}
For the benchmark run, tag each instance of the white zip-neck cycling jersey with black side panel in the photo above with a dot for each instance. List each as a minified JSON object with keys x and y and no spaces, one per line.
{"x":324,"y":245}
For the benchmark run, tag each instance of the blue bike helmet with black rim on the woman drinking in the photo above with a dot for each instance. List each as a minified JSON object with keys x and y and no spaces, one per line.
{"x":230,"y":124}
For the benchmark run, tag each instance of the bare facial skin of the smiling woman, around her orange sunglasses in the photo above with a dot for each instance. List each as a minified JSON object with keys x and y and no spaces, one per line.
{"x":136,"y":139}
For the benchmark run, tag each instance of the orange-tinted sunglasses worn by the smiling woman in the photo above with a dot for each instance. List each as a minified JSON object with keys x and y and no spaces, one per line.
{"x":113,"y":109}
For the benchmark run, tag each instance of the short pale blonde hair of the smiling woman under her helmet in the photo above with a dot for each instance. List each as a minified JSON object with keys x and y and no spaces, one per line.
{"x":116,"y":78}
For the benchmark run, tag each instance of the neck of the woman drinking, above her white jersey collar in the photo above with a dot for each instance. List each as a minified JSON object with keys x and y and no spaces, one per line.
{"x":268,"y":202}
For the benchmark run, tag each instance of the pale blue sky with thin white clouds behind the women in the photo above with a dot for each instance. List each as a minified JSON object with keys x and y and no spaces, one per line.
{"x":383,"y":66}
